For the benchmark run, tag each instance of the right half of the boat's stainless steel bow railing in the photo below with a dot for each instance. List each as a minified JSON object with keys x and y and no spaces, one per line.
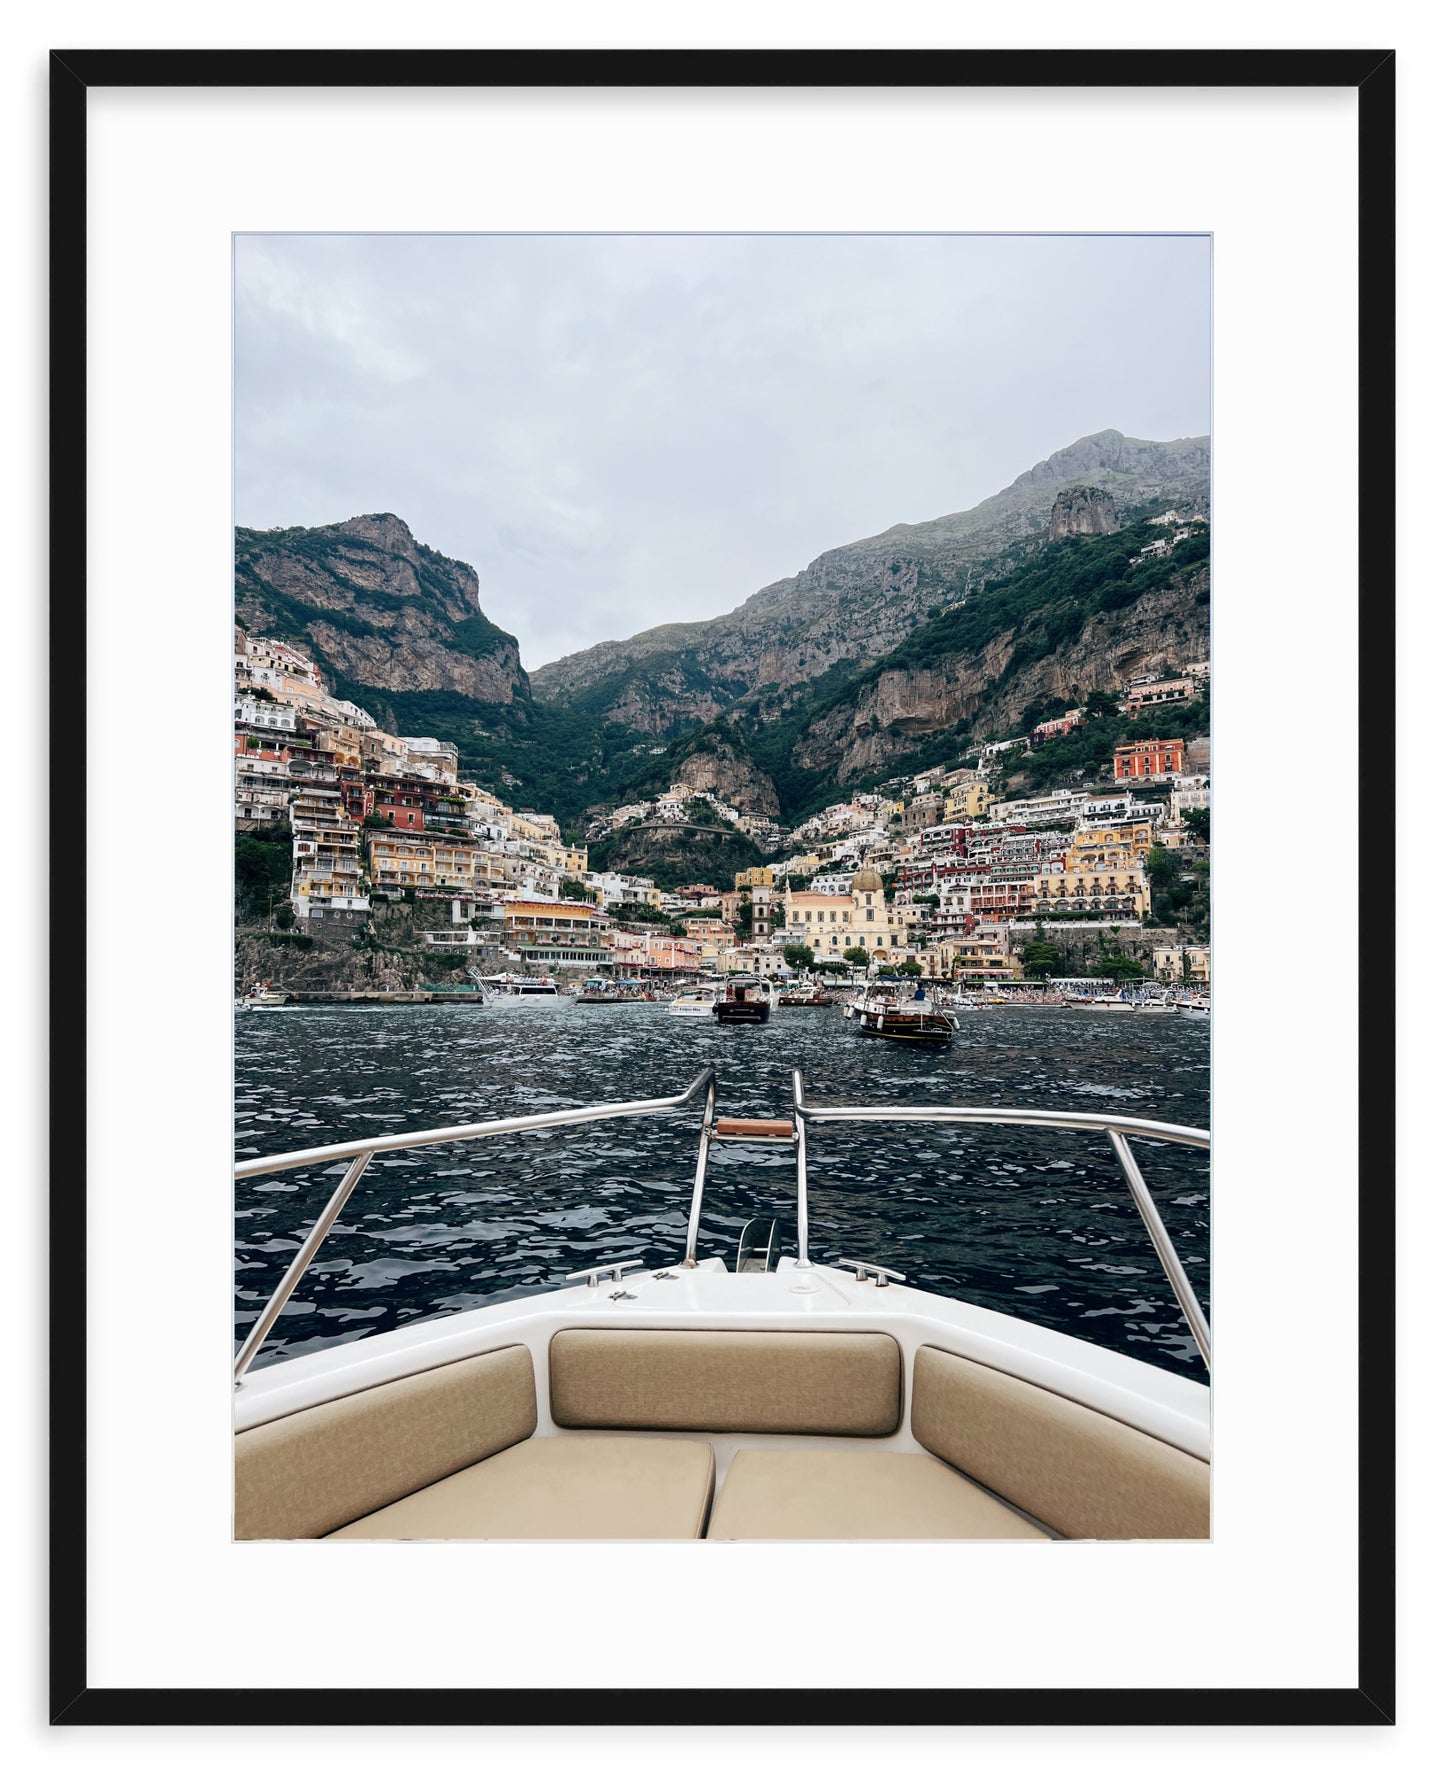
{"x":1119,"y":1130}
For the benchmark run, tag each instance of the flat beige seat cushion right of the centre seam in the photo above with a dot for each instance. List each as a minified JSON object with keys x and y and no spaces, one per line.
{"x":857,"y":1495}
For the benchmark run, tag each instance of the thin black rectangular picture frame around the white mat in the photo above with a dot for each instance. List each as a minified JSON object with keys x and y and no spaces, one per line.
{"x":72,"y":75}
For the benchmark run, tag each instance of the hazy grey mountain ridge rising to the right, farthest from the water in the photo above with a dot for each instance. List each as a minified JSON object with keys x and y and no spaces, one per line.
{"x":857,"y":603}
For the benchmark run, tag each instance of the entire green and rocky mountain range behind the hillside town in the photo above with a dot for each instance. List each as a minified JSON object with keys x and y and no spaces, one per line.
{"x":892,"y":652}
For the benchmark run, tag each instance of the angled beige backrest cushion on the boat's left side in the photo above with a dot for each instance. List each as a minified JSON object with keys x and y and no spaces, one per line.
{"x":315,"y":1471}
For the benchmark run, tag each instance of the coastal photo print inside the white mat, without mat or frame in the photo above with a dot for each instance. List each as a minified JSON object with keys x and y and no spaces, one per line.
{"x":723,"y":887}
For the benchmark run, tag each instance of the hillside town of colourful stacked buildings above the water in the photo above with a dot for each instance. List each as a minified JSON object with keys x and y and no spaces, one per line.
{"x":942,"y":874}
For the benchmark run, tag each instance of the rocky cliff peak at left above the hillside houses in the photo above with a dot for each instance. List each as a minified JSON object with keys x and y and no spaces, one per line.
{"x":377,"y":608}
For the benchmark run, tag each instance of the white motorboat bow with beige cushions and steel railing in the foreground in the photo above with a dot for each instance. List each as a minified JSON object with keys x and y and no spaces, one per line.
{"x":778,"y":1401}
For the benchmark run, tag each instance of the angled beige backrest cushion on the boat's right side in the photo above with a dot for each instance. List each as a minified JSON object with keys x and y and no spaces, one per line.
{"x":1084,"y":1474}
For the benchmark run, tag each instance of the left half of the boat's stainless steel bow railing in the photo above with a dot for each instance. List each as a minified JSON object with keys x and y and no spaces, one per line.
{"x":361,"y":1153}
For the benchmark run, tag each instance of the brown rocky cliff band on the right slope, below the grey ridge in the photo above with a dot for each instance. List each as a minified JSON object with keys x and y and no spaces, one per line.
{"x":894,"y":711}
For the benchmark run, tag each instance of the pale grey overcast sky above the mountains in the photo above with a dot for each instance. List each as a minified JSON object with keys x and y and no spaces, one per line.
{"x":628,"y":430}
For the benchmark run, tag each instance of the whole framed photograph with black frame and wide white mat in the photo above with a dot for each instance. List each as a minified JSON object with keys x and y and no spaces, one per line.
{"x":727,"y":693}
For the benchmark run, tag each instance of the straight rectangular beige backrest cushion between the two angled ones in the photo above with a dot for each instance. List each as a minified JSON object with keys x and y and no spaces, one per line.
{"x":809,"y":1384}
